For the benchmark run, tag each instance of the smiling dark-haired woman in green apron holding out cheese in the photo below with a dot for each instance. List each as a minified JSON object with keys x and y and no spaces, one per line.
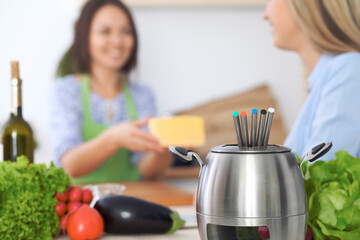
{"x":98,"y":115}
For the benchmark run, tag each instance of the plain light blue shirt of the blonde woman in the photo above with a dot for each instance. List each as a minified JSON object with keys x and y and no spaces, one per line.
{"x":332,"y":109}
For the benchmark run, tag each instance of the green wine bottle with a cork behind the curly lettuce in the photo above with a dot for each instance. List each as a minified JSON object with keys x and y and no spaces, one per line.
{"x":17,"y":136}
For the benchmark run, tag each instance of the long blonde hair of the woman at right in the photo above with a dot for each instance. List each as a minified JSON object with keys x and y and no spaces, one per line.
{"x":333,"y":26}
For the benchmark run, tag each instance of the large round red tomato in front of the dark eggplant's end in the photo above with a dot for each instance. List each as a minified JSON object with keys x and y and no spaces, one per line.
{"x":85,"y":224}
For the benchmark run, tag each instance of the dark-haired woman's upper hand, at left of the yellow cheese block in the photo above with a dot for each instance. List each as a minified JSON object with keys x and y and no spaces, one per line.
{"x":130,"y":135}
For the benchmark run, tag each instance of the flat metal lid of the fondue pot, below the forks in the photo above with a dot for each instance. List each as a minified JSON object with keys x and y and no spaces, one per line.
{"x":234,"y":148}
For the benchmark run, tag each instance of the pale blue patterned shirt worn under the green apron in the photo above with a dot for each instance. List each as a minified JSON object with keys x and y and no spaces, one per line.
{"x":66,"y":113}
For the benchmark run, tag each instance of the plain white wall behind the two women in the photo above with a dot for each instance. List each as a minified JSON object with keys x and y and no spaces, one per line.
{"x":187,"y":55}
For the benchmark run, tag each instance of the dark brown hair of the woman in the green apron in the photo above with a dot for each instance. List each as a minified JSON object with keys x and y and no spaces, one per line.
{"x":79,"y":51}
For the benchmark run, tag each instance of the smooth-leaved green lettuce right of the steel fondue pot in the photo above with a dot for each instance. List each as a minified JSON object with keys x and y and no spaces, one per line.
{"x":333,"y":195}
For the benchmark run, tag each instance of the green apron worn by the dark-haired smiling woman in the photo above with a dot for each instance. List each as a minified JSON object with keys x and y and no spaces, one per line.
{"x":118,"y":167}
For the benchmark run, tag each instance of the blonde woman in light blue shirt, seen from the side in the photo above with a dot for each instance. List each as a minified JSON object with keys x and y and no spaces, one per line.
{"x":326,"y":35}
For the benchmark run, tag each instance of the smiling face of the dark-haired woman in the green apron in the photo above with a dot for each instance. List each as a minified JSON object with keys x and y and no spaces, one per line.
{"x":111,"y":39}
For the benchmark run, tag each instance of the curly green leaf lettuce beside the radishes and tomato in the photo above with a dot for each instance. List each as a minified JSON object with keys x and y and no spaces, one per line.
{"x":27,"y":199}
